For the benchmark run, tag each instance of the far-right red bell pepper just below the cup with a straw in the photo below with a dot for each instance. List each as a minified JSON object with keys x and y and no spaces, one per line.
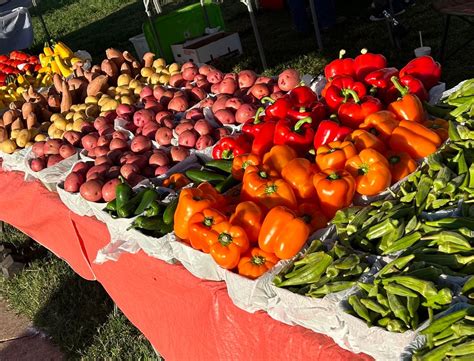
{"x":425,"y":69}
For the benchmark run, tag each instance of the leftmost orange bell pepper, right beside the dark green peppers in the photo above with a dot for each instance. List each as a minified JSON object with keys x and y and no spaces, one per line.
{"x":192,"y":201}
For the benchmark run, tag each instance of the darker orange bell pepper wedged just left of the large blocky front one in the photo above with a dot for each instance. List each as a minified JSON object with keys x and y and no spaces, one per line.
{"x":249,"y":216}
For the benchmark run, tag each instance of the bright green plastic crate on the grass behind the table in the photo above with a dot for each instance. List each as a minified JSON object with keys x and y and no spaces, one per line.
{"x":181,"y":25}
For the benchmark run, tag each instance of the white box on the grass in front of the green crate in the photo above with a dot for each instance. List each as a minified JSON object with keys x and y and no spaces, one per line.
{"x":207,"y":48}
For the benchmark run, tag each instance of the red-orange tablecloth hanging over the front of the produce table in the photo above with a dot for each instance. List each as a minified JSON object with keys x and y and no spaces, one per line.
{"x":181,"y":315}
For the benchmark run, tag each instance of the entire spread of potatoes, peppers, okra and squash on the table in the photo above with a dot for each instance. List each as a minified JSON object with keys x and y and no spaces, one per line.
{"x":364,"y":191}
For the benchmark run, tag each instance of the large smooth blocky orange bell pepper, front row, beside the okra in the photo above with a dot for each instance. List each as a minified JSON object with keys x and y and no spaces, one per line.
{"x":283,"y":233}
